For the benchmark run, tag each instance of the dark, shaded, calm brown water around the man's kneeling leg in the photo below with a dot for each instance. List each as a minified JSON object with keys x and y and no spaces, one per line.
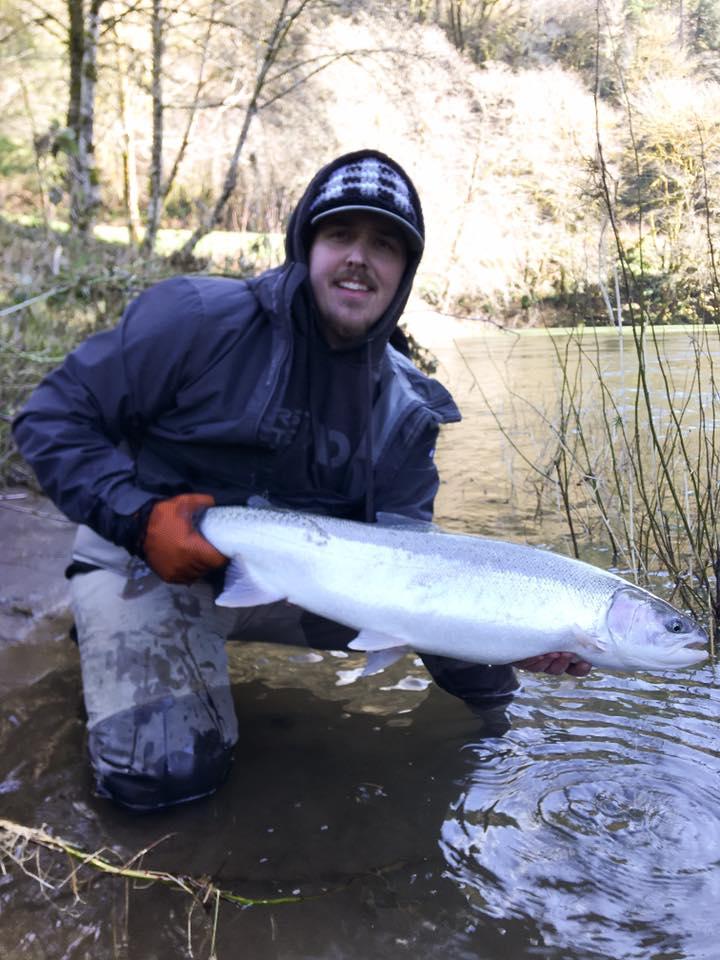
{"x":340,"y":800}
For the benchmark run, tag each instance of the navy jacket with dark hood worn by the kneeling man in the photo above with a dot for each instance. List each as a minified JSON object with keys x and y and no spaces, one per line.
{"x":227,"y":387}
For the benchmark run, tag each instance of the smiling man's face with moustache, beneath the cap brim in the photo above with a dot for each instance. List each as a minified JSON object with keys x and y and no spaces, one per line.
{"x":357,"y":260}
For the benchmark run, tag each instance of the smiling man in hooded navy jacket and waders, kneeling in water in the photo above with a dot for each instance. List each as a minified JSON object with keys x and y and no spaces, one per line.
{"x":213,"y":390}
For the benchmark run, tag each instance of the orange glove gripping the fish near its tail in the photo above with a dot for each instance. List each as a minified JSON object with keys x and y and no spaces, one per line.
{"x":173,"y":547}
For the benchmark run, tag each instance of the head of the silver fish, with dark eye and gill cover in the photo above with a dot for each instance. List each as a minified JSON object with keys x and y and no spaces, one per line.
{"x":645,"y":632}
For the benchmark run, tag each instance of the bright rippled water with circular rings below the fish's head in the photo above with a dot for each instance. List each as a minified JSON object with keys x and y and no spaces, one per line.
{"x":598,"y":816}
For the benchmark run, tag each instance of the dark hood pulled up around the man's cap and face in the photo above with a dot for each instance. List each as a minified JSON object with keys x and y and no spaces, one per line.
{"x":299,"y":235}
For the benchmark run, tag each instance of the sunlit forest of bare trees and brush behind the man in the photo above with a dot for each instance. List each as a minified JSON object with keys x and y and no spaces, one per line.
{"x":567,"y":152}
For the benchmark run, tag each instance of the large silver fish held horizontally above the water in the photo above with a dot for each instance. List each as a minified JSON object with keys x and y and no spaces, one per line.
{"x":408,"y":586}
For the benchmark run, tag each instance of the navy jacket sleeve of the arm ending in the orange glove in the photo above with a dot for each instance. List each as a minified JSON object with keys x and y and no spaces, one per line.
{"x":76,"y":430}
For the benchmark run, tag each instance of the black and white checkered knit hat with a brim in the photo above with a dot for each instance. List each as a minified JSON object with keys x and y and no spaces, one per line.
{"x":372,"y":183}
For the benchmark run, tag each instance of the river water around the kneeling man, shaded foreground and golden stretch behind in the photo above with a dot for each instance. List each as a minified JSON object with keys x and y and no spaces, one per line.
{"x":580,"y":822}
